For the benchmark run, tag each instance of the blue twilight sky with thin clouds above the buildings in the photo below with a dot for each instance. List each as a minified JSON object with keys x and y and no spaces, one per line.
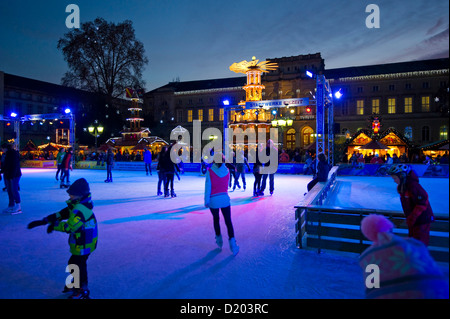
{"x":200,"y":39}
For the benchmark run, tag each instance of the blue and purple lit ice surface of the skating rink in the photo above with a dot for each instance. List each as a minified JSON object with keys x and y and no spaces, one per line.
{"x":155,"y":247}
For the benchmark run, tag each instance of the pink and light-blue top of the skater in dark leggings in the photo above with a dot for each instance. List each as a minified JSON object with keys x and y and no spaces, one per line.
{"x":216,"y":187}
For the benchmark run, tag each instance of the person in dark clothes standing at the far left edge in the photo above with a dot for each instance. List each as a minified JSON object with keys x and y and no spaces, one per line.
{"x":12,"y":173}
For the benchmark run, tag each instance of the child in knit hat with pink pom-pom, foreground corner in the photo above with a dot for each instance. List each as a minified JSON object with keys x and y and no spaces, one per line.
{"x":405,"y":268}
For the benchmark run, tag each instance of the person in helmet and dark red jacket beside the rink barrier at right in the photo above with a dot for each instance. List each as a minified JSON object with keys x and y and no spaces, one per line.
{"x":414,"y":200}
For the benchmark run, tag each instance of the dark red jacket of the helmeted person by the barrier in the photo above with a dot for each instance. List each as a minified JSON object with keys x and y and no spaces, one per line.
{"x":415,"y":202}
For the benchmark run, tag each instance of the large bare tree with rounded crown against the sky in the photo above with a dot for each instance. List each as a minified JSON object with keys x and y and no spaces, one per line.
{"x":103,"y":57}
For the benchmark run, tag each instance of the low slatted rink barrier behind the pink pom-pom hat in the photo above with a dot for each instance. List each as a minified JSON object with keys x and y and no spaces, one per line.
{"x":337,"y":228}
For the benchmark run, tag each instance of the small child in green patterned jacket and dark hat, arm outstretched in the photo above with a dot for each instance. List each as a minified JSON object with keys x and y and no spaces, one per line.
{"x":81,"y":225}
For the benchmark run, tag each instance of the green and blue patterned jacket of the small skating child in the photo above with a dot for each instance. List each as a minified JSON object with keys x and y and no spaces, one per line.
{"x":81,"y":225}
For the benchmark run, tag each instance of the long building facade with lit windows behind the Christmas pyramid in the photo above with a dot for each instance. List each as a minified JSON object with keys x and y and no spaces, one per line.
{"x":410,"y":97}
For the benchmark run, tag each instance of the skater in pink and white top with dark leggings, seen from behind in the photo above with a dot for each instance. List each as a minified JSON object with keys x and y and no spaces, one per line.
{"x":217,"y":199}
